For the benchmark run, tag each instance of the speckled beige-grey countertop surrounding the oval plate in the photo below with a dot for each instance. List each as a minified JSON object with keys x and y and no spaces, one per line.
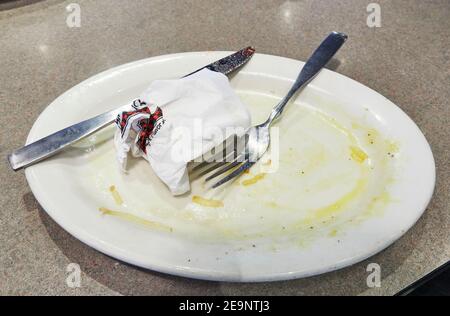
{"x":406,"y":60}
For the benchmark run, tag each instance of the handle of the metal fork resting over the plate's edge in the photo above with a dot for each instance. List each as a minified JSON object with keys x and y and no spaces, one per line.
{"x":321,"y":56}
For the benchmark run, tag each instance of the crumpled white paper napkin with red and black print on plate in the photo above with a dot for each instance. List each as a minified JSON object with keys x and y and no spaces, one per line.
{"x":176,"y":121}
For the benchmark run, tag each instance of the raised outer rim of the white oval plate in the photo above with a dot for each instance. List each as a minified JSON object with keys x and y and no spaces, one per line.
{"x":212,"y":274}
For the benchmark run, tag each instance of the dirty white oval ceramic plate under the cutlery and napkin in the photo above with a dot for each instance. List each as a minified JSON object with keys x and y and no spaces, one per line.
{"x":354,"y":173}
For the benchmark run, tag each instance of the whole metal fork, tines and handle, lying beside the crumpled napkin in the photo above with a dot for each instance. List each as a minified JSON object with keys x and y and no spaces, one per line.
{"x":257,"y":138}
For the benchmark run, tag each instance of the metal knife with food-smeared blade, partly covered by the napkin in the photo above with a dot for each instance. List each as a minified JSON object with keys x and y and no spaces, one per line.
{"x":51,"y":144}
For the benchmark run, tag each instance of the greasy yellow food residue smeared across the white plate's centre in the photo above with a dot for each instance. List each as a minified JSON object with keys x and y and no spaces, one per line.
{"x":315,"y":185}
